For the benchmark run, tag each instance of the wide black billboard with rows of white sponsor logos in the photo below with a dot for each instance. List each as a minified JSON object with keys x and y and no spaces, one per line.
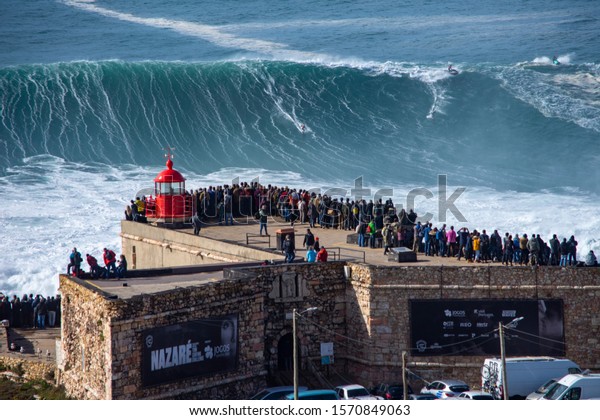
{"x":470,"y":327}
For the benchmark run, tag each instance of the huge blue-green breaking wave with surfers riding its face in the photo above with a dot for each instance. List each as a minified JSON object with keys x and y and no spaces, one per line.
{"x":501,"y":127}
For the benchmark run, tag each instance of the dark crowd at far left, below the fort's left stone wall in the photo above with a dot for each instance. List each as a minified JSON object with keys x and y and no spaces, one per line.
{"x":30,"y":311}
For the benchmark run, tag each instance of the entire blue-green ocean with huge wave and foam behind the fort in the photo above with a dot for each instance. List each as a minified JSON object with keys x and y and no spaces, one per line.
{"x":92,"y":92}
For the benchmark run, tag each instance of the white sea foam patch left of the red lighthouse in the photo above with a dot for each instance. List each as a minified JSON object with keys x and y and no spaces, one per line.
{"x":66,"y":205}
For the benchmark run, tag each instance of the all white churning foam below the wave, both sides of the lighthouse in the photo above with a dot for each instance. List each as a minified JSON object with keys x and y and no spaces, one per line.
{"x":50,"y":206}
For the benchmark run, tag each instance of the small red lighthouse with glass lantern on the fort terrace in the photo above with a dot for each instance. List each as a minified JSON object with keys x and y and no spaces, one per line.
{"x":171,"y":203}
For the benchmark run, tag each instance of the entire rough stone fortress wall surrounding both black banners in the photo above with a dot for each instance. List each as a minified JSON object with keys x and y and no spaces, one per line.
{"x":362,"y":309}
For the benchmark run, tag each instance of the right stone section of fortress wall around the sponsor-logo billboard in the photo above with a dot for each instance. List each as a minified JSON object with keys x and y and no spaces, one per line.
{"x":379,"y":297}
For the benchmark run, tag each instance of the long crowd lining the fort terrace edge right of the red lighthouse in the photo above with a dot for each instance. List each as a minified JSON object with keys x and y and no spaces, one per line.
{"x":376,"y":223}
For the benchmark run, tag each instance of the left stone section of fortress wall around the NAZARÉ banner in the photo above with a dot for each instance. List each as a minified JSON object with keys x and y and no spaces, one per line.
{"x":102,"y":339}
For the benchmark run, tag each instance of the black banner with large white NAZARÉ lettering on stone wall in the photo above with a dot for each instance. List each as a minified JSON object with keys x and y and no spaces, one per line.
{"x":193,"y":348}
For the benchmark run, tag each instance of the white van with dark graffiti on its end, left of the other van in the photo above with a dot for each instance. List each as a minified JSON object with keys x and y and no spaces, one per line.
{"x":525,"y":374}
